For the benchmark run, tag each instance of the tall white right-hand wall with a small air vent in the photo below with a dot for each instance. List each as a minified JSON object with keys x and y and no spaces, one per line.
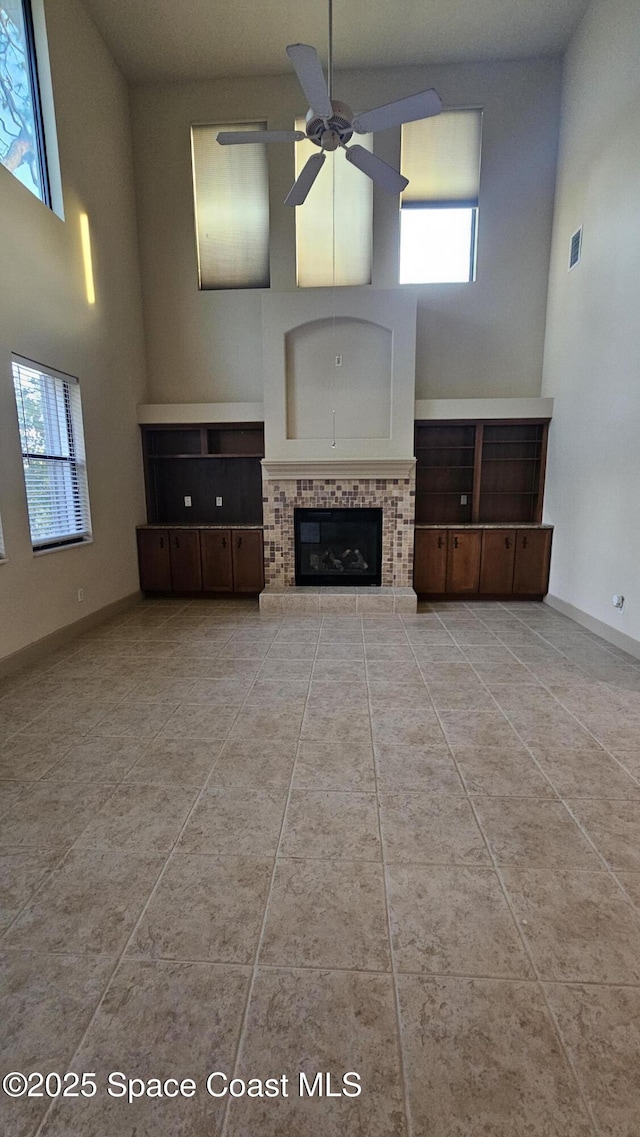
{"x":593,"y":358}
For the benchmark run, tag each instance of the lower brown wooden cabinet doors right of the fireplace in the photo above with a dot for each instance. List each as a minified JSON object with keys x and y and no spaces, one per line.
{"x":483,"y":562}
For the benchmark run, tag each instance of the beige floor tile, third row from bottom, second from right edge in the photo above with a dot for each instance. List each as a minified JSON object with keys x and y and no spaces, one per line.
{"x":528,"y":832}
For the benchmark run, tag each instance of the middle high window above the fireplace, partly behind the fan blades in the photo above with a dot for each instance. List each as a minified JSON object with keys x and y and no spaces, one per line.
{"x":336,"y":220}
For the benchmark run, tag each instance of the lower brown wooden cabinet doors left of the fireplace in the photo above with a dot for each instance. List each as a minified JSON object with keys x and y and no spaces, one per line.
{"x":201,"y":561}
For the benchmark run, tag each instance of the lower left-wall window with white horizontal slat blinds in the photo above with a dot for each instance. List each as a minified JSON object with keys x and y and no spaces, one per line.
{"x":53,"y":445}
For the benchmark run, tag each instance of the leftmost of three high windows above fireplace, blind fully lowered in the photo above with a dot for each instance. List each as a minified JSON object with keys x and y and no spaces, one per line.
{"x":232,"y":209}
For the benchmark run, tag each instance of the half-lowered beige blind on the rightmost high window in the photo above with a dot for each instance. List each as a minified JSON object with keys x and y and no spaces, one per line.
{"x":442,"y":160}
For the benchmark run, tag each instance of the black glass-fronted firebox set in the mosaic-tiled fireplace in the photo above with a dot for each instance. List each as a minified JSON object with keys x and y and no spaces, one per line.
{"x":338,"y":547}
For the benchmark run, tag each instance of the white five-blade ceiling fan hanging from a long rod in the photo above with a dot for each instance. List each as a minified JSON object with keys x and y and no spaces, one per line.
{"x":331,"y":125}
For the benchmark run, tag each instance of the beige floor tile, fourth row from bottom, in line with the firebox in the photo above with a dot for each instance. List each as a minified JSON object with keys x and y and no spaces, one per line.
{"x":335,"y":767}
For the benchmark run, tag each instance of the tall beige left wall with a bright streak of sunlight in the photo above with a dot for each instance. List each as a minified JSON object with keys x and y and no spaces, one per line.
{"x":45,"y":316}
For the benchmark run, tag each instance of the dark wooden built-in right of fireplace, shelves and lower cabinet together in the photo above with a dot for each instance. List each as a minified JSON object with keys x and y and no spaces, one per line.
{"x":471,"y":478}
